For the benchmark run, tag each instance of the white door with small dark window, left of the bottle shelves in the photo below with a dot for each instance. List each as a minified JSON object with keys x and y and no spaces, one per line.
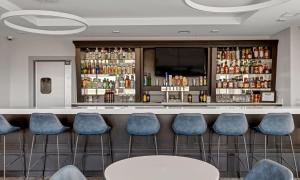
{"x":49,"y":83}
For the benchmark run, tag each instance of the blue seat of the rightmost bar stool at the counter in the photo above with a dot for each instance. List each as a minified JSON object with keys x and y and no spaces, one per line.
{"x":277,"y":124}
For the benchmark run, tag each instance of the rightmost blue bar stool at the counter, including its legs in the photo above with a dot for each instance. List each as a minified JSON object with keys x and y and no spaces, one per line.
{"x":276,"y":124}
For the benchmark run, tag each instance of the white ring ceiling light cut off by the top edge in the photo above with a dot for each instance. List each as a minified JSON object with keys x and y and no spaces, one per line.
{"x":234,"y":9}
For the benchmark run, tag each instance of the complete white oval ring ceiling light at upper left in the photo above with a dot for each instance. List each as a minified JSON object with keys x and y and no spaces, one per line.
{"x":83,"y":23}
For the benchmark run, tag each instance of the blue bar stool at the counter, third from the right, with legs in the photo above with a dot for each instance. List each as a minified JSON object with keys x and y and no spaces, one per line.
{"x":190,"y":124}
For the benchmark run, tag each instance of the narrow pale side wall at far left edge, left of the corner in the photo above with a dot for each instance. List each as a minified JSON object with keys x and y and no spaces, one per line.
{"x":4,"y":73}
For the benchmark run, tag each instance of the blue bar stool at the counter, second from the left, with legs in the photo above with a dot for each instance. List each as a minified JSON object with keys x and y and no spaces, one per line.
{"x":45,"y":124}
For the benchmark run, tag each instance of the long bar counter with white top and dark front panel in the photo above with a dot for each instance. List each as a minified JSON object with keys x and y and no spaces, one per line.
{"x":116,"y":116}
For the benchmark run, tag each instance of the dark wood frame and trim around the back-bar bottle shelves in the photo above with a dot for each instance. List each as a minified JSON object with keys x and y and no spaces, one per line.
{"x":140,"y":46}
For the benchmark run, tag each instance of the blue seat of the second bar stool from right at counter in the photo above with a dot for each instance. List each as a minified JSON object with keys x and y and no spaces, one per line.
{"x":231,"y":124}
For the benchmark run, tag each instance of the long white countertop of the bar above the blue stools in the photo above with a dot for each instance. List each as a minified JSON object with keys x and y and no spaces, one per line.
{"x":155,"y":109}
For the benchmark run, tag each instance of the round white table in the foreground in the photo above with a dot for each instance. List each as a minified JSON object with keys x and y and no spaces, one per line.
{"x":161,"y":168}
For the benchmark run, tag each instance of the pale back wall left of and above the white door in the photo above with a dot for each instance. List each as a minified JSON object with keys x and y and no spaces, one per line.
{"x":20,"y":51}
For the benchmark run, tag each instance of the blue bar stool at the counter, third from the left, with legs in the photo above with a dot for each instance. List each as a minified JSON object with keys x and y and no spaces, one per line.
{"x":87,"y":124}
